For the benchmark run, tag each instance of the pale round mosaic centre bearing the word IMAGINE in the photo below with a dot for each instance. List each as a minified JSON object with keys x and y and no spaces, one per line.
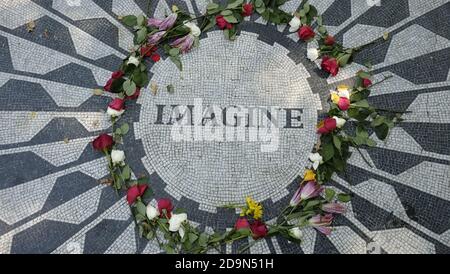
{"x":242,"y":125}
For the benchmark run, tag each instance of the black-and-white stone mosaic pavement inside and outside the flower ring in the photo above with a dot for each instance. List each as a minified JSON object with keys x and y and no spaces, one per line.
{"x":50,"y":198}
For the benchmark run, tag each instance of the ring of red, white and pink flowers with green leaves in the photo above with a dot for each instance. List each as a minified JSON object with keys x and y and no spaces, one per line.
{"x":312,"y":205}
